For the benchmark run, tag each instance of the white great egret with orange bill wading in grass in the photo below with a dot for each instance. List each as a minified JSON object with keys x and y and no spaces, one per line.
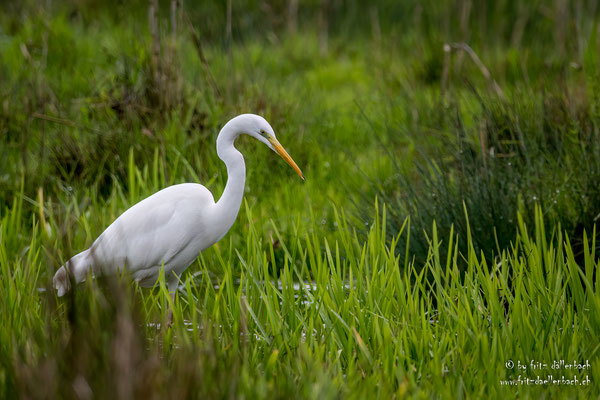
{"x":174,"y":225}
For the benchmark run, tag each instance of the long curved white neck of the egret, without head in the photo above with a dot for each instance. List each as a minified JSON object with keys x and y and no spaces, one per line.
{"x":229,"y":204}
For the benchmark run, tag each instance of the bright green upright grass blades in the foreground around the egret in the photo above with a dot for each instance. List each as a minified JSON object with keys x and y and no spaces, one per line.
{"x":308,"y":317}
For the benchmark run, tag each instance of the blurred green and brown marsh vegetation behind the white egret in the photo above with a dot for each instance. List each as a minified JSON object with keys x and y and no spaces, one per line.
{"x":492,"y":106}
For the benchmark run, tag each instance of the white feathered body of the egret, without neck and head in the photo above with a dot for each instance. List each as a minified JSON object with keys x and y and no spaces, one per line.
{"x":170,"y":227}
